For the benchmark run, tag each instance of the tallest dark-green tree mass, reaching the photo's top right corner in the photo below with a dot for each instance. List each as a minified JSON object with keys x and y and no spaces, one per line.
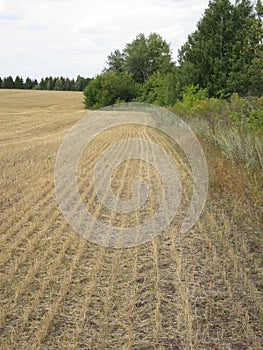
{"x":223,"y":54}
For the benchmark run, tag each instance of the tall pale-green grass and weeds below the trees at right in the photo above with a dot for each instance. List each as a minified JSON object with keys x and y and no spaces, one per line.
{"x":235,"y":126}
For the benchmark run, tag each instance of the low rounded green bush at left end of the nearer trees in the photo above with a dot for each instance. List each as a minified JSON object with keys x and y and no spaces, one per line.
{"x":107,"y":88}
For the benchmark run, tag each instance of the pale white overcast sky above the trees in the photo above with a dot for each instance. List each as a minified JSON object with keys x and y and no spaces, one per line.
{"x":40,"y":38}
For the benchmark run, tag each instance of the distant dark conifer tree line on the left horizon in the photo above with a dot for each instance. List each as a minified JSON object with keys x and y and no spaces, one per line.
{"x":48,"y":83}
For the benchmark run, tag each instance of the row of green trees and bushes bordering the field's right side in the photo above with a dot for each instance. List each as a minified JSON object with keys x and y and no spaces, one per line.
{"x":222,"y":57}
